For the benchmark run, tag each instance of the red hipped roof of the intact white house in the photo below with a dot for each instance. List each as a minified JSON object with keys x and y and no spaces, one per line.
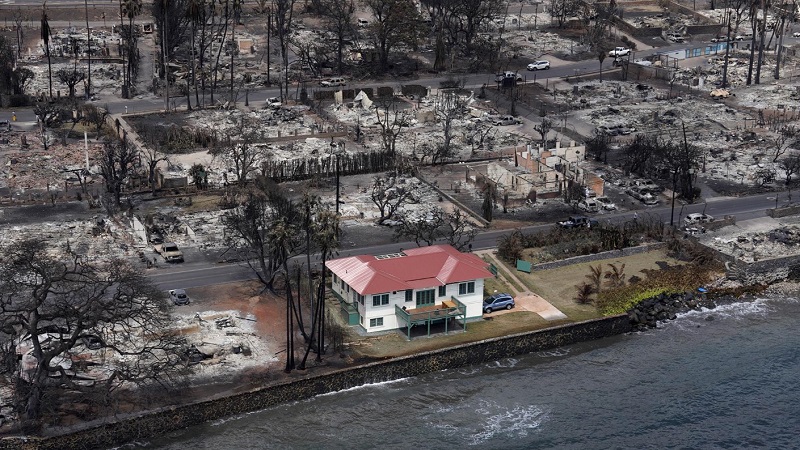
{"x":419,"y":268}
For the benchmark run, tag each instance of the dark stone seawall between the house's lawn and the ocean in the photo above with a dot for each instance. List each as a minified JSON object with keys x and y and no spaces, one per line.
{"x":161,"y":421}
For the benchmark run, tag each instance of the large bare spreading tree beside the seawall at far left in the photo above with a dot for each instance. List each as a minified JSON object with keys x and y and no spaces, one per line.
{"x":53,"y":302}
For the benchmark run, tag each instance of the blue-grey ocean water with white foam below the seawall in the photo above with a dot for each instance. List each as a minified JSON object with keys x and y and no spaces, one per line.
{"x":727,"y":378}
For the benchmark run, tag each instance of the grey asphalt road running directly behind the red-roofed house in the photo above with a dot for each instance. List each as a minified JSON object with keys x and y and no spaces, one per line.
{"x":199,"y":274}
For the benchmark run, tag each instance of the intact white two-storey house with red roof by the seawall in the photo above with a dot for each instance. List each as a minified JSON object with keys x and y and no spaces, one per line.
{"x":420,"y":286}
